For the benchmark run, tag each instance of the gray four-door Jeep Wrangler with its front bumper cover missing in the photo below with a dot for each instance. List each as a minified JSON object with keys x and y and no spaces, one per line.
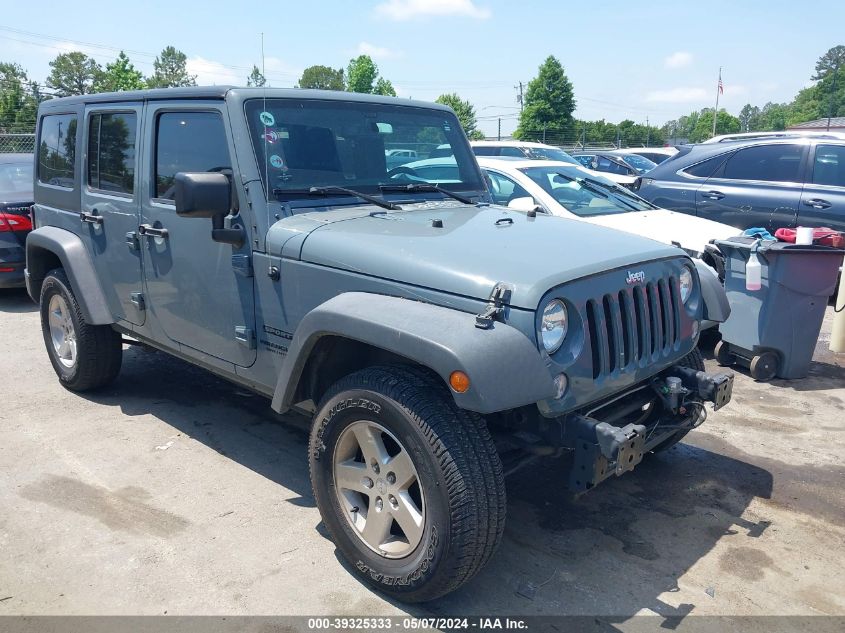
{"x":273,"y":238}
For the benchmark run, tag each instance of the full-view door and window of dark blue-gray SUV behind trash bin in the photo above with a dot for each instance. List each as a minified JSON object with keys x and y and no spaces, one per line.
{"x":757,"y":186}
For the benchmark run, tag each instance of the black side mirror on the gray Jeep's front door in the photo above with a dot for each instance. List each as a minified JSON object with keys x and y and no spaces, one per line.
{"x":208,"y":195}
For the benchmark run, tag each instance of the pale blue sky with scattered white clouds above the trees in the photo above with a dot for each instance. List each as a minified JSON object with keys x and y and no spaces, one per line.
{"x":646,"y":61}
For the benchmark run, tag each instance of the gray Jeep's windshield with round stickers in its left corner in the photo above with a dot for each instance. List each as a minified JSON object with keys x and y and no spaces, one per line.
{"x":360,"y":146}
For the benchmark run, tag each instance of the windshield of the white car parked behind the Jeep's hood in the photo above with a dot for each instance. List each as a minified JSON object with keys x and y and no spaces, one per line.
{"x":585,"y":196}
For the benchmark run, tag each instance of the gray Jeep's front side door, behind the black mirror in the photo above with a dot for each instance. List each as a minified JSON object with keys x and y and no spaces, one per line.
{"x":199,"y":291}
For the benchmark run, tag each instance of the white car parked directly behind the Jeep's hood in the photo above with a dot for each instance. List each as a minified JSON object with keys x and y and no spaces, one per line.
{"x":570,"y":191}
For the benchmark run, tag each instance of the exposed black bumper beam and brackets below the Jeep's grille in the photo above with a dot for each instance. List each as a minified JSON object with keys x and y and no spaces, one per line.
{"x":602,"y":449}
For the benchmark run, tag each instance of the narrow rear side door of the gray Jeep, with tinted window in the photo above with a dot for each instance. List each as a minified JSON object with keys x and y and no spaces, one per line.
{"x":110,"y":205}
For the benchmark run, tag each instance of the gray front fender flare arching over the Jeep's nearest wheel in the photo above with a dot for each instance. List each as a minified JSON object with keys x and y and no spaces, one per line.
{"x":505,"y":368}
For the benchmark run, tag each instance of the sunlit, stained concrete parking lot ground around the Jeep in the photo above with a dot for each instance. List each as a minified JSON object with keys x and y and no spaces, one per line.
{"x":172,"y":491}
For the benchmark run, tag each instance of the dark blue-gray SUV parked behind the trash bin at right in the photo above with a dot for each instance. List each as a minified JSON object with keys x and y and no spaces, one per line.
{"x":769,"y":183}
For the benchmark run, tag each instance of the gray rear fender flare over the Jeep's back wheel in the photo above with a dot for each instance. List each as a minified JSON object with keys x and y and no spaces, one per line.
{"x":72,"y":254}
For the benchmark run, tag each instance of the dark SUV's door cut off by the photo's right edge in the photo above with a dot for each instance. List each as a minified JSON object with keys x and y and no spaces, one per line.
{"x":823,"y":197}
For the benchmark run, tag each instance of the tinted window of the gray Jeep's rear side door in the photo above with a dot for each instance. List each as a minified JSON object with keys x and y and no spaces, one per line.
{"x":111,"y":152}
